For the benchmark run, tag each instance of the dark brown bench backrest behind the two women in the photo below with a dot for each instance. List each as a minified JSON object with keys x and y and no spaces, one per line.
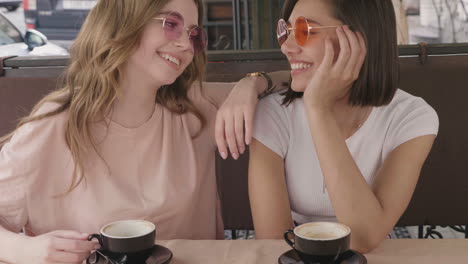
{"x":437,"y":73}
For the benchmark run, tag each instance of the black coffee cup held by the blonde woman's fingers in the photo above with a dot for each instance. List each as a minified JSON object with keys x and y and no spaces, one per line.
{"x":132,"y":240}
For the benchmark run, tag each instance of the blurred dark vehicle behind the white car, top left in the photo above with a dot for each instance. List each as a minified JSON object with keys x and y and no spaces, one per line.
{"x":57,"y":19}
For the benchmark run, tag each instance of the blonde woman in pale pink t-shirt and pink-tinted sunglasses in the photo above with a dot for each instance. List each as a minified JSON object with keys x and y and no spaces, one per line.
{"x":130,"y":136}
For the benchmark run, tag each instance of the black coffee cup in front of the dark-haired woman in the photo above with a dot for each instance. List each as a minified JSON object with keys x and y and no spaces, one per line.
{"x":319,"y":242}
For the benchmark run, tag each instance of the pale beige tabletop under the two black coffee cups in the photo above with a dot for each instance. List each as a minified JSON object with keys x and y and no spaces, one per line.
{"x":391,"y":251}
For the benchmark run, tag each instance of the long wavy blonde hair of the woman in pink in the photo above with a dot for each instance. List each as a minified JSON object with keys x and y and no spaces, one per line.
{"x":109,"y":36}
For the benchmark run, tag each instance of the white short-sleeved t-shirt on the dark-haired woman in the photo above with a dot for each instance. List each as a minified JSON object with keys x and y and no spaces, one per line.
{"x":285,"y":130}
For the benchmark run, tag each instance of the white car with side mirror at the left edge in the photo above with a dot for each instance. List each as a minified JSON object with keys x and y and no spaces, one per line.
{"x":33,"y":43}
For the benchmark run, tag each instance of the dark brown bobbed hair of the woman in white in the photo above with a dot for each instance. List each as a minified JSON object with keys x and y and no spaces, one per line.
{"x":379,"y":76}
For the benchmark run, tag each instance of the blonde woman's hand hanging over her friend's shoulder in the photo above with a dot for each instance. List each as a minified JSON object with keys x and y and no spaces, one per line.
{"x":234,"y":117}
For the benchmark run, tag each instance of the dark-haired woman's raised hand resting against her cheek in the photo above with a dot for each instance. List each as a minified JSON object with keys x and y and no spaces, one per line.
{"x":333,"y":79}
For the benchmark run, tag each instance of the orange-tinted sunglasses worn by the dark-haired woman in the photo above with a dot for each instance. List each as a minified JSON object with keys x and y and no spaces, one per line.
{"x":302,"y":30}
